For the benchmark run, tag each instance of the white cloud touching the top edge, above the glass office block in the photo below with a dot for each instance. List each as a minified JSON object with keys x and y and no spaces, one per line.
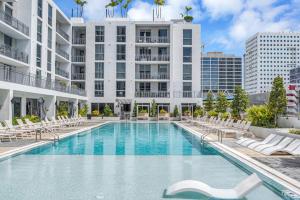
{"x":219,"y":8}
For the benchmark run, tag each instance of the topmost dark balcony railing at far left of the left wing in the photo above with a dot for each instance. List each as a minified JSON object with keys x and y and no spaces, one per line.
{"x":13,"y":22}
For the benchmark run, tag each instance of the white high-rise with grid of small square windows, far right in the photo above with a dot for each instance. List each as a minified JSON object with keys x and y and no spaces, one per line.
{"x":267,"y":56}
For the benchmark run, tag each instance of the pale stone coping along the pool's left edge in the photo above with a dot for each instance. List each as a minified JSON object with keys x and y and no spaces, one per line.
{"x":23,"y":149}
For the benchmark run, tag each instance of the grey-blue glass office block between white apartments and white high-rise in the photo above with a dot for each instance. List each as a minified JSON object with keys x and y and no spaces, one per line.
{"x":220,"y":72}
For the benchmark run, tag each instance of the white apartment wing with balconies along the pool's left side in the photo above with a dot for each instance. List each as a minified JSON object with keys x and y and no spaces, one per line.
{"x":35,"y":49}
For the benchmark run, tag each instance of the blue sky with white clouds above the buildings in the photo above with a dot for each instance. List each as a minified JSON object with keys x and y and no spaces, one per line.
{"x":226,"y":24}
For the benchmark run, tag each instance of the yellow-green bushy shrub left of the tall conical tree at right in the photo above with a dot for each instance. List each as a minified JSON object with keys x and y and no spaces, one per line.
{"x":260,"y":116}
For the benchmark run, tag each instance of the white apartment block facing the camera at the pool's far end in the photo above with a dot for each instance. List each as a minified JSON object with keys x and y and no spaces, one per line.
{"x":119,"y":61}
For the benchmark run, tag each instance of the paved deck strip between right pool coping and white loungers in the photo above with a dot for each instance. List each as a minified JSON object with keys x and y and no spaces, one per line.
{"x":286,"y":164}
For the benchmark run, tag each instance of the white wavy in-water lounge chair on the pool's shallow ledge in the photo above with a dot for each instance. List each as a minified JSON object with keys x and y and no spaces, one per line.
{"x":238,"y":192}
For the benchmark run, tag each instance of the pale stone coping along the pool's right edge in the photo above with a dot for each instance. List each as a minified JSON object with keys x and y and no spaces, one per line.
{"x":286,"y":181}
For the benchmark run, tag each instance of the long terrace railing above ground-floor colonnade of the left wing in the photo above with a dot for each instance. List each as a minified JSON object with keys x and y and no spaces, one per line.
{"x":32,"y":80}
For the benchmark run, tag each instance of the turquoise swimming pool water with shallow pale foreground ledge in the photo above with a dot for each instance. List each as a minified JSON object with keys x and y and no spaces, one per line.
{"x":119,"y":161}
